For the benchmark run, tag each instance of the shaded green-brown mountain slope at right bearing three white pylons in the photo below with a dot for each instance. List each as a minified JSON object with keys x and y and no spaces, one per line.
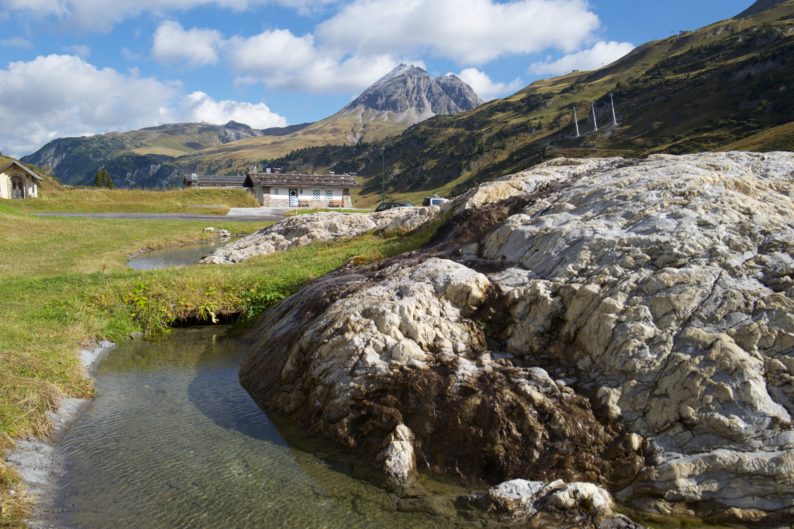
{"x":701,"y":90}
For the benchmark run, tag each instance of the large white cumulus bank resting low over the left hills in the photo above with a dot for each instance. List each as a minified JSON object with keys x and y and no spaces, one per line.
{"x":100,"y":100}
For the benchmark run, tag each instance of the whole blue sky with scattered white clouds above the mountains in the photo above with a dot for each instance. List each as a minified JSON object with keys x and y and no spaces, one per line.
{"x":81,"y":67}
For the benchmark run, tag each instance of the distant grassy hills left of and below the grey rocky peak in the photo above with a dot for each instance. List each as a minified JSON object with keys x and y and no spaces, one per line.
{"x":157,"y":157}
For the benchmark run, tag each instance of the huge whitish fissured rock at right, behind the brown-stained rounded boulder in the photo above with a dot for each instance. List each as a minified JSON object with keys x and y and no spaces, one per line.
{"x":667,"y":284}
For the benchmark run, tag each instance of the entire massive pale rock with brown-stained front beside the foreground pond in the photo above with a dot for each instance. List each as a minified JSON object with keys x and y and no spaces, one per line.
{"x":624,"y":323}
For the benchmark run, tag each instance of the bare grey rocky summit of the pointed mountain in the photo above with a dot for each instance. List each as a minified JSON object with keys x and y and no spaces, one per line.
{"x":411,"y":90}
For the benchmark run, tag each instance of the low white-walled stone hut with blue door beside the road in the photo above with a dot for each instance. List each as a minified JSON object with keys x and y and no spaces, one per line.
{"x":293,"y":190}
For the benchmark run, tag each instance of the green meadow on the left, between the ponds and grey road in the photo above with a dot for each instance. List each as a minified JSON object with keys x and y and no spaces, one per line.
{"x":65,"y":285}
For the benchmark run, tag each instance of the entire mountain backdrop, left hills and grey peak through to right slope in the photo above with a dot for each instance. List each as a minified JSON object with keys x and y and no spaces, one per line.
{"x":725,"y":86}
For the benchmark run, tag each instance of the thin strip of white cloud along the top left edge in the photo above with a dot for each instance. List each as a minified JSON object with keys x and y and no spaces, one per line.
{"x":102,"y":15}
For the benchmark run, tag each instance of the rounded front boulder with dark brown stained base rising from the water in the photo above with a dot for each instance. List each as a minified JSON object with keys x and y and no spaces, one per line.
{"x":399,"y":349}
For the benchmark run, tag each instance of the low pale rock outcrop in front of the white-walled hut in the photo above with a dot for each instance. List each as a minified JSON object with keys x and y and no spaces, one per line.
{"x":301,"y":230}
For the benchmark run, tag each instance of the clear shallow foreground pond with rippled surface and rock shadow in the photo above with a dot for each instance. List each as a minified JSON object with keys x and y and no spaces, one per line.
{"x":173,"y":441}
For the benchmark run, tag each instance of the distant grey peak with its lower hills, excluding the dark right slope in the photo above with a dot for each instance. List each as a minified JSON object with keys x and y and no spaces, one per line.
{"x":158,"y":156}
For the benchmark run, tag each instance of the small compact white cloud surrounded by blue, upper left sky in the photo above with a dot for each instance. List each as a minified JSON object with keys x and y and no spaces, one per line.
{"x":193,"y":47}
